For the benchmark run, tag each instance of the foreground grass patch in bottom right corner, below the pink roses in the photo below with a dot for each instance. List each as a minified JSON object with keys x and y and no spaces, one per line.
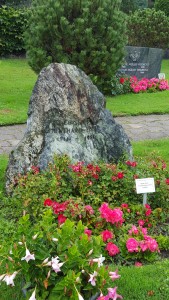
{"x":143,"y":283}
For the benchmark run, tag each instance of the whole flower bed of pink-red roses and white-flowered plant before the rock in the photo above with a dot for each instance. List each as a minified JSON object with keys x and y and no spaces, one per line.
{"x":92,"y":197}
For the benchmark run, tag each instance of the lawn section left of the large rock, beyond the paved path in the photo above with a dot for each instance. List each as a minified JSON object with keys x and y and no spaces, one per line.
{"x":16,"y":84}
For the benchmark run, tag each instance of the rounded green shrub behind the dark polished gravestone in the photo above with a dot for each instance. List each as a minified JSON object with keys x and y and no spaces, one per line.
{"x":148,"y":28}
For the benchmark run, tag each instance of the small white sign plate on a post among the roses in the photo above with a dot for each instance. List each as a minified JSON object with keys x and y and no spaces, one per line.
{"x":145,"y":185}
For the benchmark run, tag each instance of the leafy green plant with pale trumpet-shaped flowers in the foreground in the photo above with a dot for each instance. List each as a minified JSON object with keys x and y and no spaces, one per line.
{"x":60,"y":263}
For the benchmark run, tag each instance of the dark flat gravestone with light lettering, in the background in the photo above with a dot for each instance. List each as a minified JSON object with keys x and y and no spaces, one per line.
{"x":142,"y":62}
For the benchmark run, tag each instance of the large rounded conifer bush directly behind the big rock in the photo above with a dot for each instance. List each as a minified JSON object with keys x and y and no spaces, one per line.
{"x":88,"y":34}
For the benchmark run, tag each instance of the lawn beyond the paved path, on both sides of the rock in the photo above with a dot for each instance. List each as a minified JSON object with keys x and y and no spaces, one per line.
{"x":17,"y":81}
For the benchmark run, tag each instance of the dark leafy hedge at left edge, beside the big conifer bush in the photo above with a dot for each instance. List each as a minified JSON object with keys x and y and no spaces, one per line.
{"x":12,"y":23}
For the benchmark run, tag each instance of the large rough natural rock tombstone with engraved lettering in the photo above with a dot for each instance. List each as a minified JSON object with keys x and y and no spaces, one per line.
{"x":66,"y":115}
